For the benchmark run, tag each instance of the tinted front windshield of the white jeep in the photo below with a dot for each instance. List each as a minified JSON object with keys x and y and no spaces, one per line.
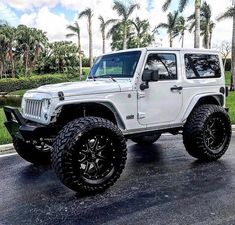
{"x":118,"y":65}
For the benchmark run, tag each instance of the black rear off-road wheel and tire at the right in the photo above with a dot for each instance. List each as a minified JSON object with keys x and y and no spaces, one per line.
{"x":200,"y":140}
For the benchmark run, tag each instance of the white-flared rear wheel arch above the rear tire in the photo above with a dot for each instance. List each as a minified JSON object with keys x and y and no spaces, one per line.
{"x":215,"y":99}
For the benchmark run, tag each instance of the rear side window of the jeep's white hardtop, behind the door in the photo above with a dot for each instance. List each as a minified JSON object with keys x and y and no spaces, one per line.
{"x":202,"y":66}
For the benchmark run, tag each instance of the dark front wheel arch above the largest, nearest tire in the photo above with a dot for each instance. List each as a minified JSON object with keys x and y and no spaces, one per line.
{"x":106,"y":110}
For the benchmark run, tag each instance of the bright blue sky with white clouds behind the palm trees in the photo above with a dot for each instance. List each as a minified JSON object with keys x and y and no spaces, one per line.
{"x":53,"y":16}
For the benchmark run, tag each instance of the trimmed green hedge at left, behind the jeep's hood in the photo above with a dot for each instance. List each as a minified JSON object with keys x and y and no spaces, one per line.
{"x":13,"y":84}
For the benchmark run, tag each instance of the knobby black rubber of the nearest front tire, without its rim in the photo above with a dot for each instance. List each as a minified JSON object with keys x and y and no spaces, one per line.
{"x":63,"y":151}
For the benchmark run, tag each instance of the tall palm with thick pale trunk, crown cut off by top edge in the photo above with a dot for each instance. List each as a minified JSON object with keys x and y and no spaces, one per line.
{"x":182,"y":5}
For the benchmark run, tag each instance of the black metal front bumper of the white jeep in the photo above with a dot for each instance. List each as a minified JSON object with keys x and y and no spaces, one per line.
{"x":18,"y":127}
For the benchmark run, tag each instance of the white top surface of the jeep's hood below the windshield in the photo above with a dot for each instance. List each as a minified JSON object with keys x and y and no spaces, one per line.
{"x":84,"y":87}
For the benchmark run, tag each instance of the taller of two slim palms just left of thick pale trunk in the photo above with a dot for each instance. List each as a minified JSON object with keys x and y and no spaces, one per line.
{"x":172,"y":20}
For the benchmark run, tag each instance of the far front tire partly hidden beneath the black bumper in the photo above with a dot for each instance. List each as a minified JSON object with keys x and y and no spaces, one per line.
{"x":30,"y":153}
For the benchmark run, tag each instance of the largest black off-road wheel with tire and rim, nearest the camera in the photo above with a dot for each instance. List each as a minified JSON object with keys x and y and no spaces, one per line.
{"x":69,"y":146}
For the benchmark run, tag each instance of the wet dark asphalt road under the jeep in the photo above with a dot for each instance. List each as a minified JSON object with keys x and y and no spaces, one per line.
{"x":161,"y":184}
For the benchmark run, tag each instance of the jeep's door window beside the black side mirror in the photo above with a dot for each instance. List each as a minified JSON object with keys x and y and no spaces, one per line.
{"x":165,"y":63}
